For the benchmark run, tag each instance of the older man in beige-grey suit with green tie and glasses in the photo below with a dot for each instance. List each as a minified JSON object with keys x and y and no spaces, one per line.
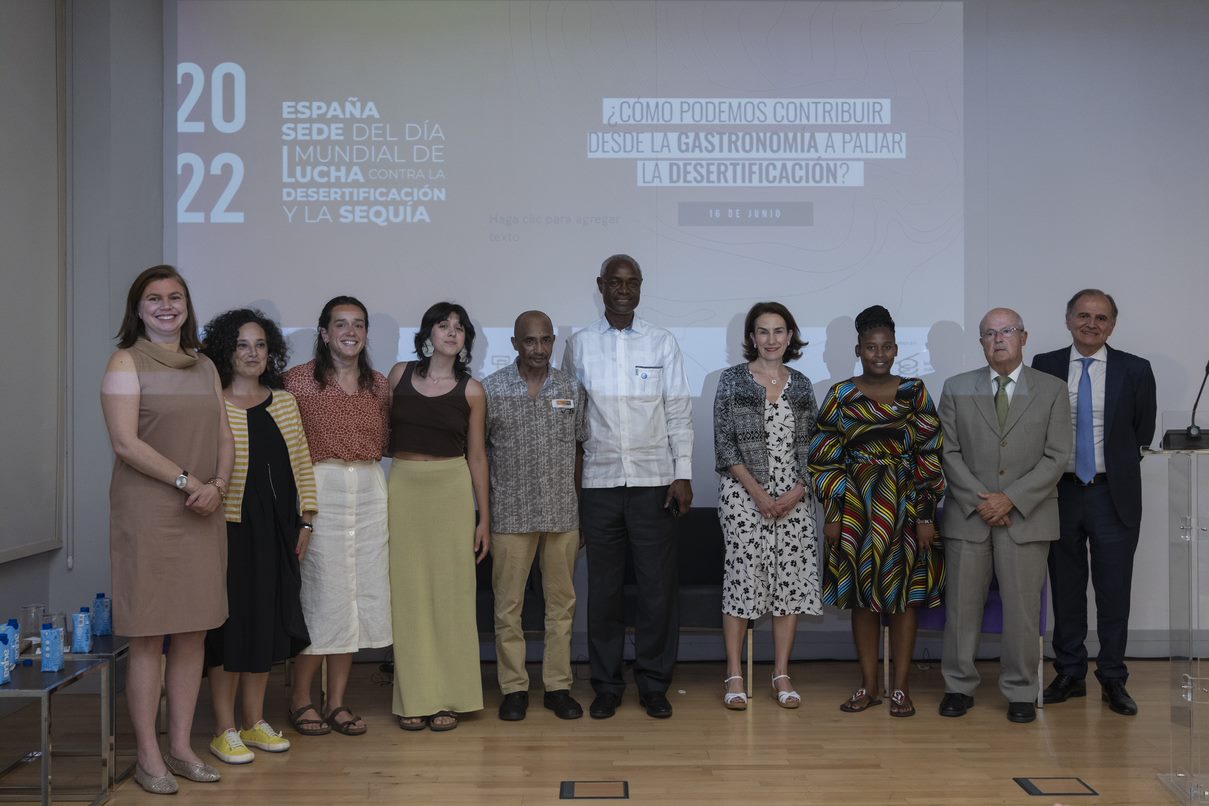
{"x":1008,"y":439}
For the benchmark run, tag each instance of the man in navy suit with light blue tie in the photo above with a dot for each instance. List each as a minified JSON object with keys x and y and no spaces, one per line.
{"x":1100,"y":498}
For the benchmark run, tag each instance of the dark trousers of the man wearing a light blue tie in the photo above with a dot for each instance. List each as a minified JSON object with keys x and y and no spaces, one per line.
{"x":1090,"y":526}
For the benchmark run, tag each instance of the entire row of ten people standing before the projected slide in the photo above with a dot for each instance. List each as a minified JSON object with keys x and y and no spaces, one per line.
{"x":322,"y":555}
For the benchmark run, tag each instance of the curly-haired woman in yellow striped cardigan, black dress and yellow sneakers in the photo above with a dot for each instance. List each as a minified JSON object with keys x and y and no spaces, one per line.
{"x":270,"y":505}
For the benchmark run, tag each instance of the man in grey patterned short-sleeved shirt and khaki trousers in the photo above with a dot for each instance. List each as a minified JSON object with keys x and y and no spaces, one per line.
{"x":535,"y":420}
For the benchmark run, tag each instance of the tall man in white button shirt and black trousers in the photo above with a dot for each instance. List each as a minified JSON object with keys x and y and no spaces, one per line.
{"x":637,"y":480}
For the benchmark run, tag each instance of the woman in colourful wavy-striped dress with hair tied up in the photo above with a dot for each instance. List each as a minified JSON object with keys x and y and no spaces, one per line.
{"x":876,"y":461}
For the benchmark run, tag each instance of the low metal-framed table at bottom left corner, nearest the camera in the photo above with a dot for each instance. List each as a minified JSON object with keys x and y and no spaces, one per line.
{"x":30,"y":682}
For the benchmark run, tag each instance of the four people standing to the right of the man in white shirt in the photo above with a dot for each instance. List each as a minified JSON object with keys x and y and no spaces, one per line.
{"x":1022,"y":471}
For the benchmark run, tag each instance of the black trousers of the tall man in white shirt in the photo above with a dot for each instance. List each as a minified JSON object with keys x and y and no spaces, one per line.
{"x":614,"y":521}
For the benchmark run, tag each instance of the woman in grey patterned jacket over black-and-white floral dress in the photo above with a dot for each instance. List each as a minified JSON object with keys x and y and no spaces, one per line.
{"x":763,"y":420}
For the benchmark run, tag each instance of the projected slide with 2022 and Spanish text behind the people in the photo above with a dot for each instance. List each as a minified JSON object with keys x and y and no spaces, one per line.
{"x":495,"y":153}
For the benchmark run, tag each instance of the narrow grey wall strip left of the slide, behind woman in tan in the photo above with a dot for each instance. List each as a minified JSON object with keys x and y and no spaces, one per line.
{"x":115,"y":129}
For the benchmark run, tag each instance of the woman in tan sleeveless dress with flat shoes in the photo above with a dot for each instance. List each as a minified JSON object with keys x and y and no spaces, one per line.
{"x":167,"y":424}
